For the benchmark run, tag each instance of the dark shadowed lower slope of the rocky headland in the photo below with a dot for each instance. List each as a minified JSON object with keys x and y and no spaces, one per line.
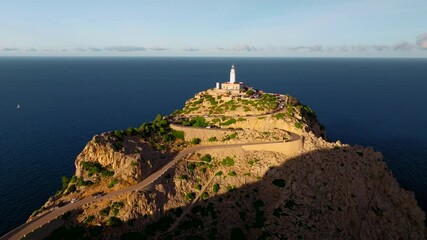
{"x":343,"y":193}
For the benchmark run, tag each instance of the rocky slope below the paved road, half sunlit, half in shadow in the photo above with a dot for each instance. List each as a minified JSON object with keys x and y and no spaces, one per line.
{"x":329,"y":191}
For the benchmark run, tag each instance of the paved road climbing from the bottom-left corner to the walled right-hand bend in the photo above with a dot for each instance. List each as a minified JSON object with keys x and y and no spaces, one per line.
{"x":26,"y":228}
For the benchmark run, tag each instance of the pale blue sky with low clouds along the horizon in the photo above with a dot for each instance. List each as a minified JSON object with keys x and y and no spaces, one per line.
{"x":264,"y":28}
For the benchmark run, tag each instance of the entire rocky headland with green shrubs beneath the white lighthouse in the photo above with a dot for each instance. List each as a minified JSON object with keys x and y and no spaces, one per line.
{"x":248,"y":177}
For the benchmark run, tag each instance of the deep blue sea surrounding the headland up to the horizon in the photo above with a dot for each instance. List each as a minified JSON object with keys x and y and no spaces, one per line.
{"x":65,"y":101}
